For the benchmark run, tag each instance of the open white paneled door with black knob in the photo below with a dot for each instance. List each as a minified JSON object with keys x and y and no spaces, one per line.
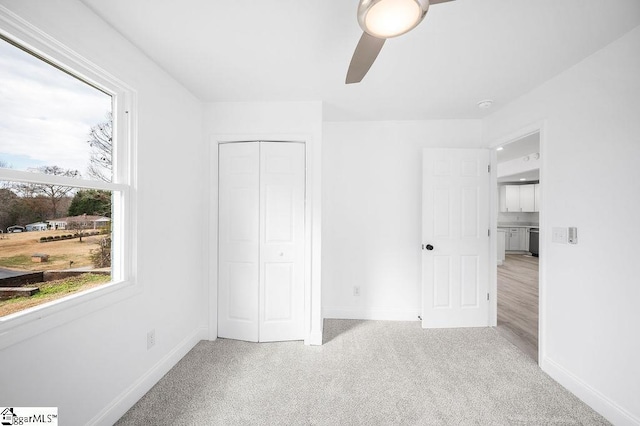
{"x":455,"y":224}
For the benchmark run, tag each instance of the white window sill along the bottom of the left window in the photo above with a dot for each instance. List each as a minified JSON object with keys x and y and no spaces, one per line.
{"x":24,"y":325}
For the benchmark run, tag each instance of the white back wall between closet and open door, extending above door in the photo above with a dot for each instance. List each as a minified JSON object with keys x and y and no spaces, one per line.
{"x":371,"y":226}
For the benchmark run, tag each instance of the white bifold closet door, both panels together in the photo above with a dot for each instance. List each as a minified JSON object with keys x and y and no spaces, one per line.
{"x":261,"y":241}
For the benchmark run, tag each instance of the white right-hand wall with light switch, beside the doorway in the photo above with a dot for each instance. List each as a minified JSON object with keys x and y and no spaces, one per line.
{"x":591,"y":179}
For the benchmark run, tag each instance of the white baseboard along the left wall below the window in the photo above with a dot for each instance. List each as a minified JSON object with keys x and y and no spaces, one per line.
{"x":121,"y":404}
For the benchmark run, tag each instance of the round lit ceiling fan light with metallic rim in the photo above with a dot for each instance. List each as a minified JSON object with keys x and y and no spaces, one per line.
{"x":391,"y":18}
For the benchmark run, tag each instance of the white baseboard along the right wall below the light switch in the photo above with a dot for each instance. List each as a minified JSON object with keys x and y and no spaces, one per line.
{"x":592,"y":397}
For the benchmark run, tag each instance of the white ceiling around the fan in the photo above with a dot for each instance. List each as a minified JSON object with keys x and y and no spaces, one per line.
{"x":299,"y":50}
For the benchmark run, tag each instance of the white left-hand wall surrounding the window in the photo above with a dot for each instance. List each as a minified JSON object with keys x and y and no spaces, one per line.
{"x":96,"y":367}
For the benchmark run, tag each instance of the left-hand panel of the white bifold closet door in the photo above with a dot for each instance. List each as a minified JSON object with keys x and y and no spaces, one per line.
{"x":238,"y":241}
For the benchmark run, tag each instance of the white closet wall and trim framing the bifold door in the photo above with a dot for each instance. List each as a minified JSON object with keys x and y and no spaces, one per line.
{"x":300,"y":121}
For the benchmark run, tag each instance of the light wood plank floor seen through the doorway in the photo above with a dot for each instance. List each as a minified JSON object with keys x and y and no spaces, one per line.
{"x":518,"y":302}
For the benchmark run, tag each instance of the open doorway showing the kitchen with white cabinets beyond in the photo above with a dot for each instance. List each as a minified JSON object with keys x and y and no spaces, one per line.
{"x":518,"y":224}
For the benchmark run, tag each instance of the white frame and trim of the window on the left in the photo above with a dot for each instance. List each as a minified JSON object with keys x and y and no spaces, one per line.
{"x":28,"y":323}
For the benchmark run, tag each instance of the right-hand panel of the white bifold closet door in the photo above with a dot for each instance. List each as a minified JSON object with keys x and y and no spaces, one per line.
{"x":282,"y":190}
